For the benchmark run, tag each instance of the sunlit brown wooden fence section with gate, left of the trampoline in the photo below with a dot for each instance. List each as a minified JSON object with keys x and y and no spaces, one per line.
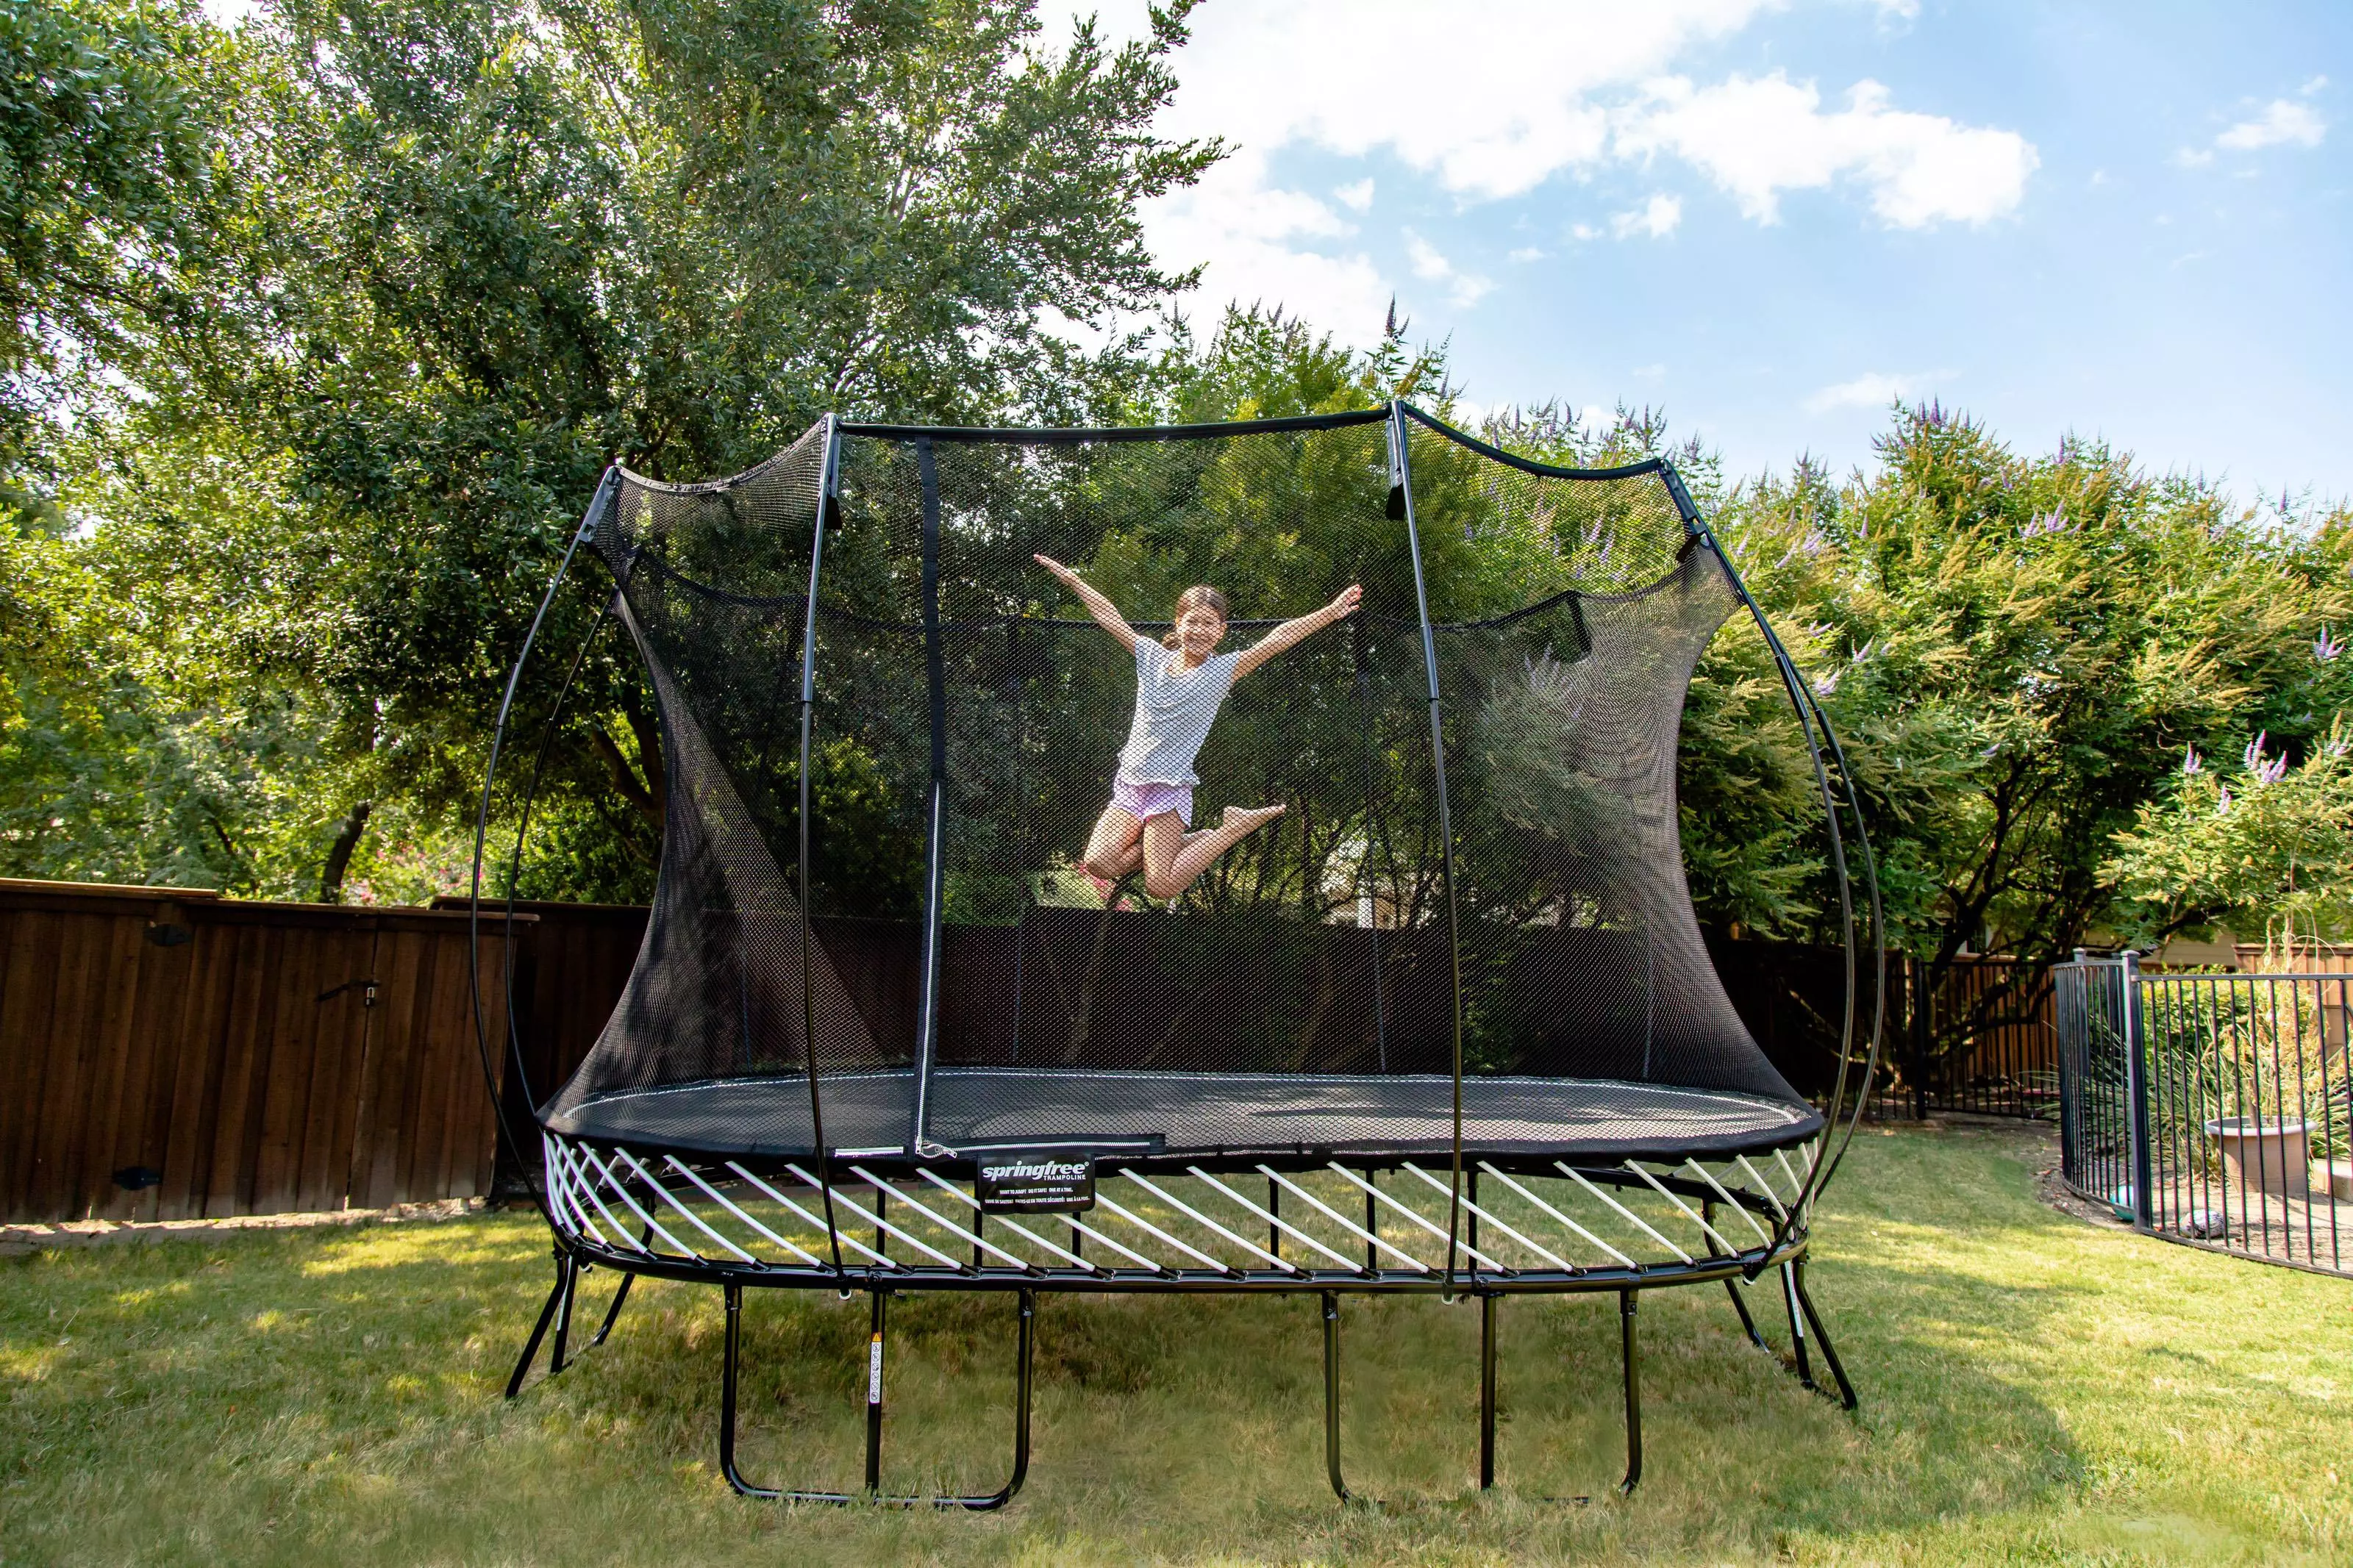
{"x":171,"y":1054}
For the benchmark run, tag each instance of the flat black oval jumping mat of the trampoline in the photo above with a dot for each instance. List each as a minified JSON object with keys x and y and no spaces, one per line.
{"x":1197,"y":1113}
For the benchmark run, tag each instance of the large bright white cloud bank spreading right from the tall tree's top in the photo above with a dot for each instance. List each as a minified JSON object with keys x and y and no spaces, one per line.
{"x":1533,"y":91}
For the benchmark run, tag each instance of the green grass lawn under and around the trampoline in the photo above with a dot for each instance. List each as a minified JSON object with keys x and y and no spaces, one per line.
{"x":2034,"y":1391}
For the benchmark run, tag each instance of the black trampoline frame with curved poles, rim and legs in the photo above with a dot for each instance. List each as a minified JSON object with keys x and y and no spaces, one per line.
{"x":1782,"y":1224}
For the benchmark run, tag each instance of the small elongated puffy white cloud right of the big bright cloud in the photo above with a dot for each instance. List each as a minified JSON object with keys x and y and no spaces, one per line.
{"x":1759,"y":138}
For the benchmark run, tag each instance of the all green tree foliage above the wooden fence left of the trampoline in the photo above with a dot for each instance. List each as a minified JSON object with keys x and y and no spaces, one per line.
{"x":425,"y":267}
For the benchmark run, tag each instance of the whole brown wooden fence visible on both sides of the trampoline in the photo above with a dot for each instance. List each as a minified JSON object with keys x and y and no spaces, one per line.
{"x":173,"y":1054}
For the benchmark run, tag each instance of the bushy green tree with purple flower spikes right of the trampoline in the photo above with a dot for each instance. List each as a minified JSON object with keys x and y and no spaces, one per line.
{"x":2018,"y":650}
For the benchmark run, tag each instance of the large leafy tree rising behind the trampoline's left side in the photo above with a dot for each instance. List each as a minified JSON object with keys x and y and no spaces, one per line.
{"x":484,"y":248}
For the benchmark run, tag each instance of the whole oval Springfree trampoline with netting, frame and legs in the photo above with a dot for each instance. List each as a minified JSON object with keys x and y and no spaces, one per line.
{"x":1034,"y":920}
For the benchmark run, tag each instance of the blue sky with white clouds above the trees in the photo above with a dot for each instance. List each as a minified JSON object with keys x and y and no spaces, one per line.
{"x":1768,"y":220}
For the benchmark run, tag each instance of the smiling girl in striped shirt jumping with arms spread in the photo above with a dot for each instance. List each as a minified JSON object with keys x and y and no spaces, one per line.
{"x":1180,"y":688}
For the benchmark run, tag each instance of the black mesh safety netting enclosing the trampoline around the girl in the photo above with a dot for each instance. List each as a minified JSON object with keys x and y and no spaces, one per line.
{"x":966,"y":977}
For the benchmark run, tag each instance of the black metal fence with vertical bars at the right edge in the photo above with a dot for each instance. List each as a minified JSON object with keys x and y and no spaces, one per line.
{"x":2211,"y":1108}
